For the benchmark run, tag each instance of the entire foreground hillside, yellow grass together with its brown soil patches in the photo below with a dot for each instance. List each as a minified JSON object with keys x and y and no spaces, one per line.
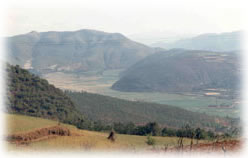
{"x":83,"y":140}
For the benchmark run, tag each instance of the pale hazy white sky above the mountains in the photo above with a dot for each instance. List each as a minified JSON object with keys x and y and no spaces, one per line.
{"x":127,"y":17}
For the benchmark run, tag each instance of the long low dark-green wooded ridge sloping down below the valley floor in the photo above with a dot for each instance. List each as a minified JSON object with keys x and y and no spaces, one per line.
{"x":108,"y":109}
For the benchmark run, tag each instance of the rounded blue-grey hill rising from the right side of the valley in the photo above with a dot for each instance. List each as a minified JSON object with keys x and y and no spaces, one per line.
{"x":180,"y":70}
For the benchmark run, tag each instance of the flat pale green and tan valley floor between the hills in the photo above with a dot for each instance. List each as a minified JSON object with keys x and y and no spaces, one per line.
{"x":101,"y":84}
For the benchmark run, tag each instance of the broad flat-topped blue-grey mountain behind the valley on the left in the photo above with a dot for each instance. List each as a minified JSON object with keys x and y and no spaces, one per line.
{"x":83,"y":50}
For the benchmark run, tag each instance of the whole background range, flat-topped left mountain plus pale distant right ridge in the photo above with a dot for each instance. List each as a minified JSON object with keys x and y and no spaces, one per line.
{"x":91,"y":50}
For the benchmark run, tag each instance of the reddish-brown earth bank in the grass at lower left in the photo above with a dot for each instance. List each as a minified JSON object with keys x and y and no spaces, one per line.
{"x":40,"y":134}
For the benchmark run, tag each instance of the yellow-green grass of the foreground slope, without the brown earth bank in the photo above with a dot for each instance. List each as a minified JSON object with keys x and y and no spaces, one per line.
{"x":86,"y":140}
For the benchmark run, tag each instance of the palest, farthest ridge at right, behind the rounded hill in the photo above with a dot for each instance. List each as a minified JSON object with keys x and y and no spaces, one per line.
{"x":230,"y":41}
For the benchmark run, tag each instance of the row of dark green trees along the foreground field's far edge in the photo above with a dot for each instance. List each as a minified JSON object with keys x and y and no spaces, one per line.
{"x":153,"y":129}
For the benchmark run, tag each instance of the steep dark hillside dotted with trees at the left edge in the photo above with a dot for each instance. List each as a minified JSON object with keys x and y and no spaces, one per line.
{"x":30,"y":95}
